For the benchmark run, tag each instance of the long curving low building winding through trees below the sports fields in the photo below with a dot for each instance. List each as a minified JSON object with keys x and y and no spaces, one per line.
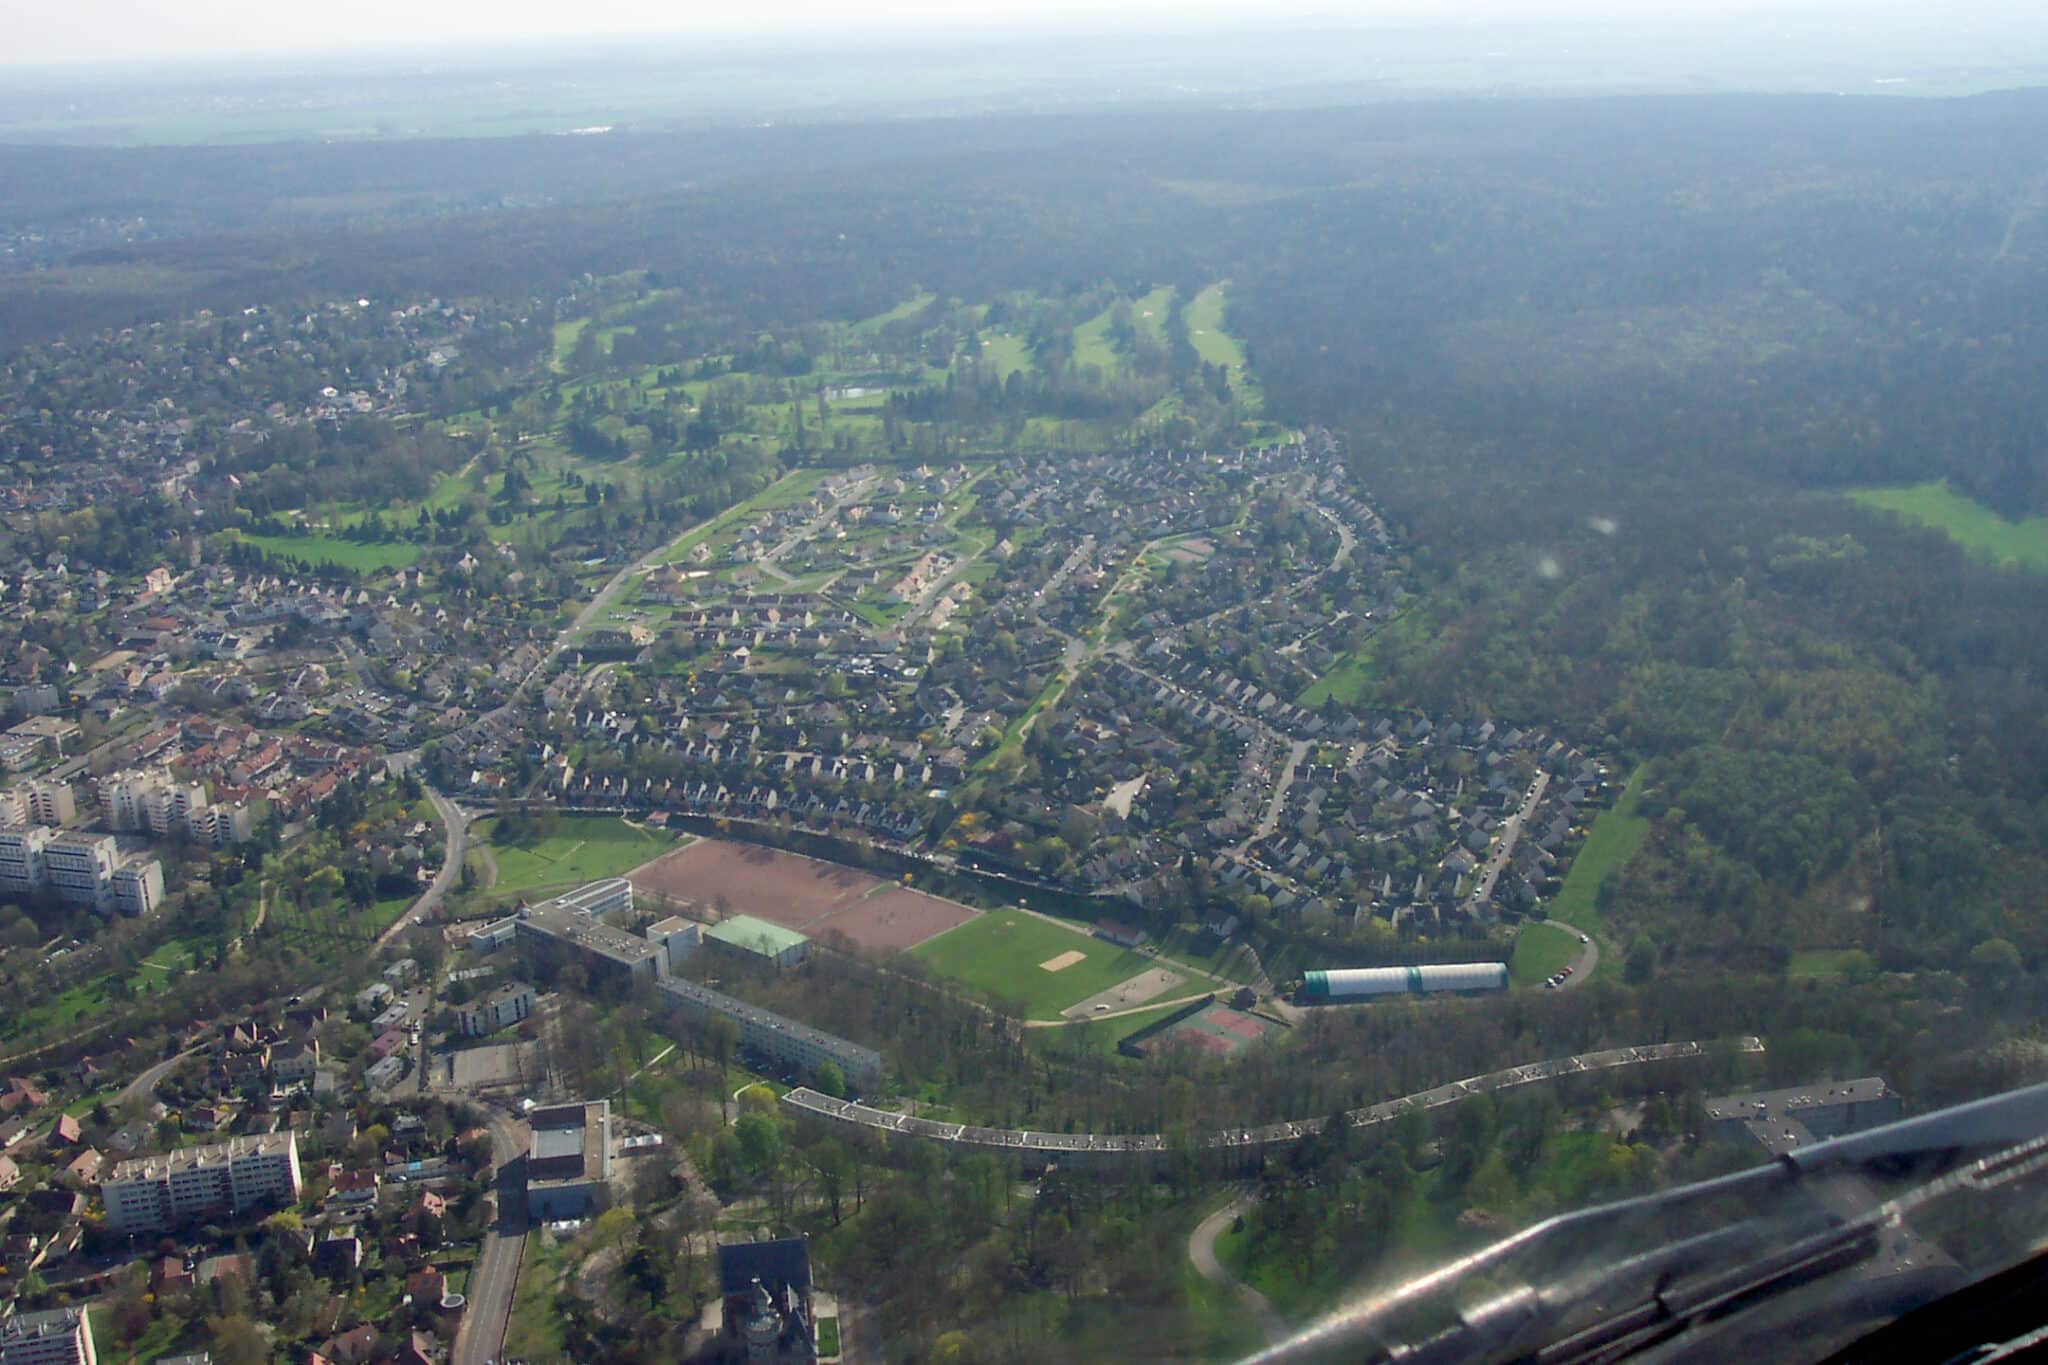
{"x":1093,"y":1151}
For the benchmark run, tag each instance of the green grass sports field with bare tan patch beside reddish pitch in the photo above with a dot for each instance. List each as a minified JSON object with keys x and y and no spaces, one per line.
{"x":1002,"y":955}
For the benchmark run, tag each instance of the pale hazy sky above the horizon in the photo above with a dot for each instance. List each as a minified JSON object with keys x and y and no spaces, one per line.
{"x":165,"y":32}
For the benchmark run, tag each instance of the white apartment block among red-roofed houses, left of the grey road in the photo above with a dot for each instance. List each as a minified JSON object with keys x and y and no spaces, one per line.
{"x":153,"y":1194}
